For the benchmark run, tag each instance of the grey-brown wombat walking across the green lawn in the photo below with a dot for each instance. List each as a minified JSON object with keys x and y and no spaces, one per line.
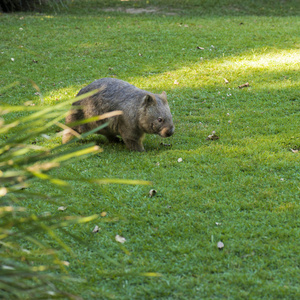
{"x":143,"y":112}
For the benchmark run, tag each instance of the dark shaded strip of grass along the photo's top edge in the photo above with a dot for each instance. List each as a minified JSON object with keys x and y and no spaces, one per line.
{"x":190,"y":7}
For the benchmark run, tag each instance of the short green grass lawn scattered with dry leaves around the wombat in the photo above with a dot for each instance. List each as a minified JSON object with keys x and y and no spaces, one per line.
{"x":242,"y":189}
